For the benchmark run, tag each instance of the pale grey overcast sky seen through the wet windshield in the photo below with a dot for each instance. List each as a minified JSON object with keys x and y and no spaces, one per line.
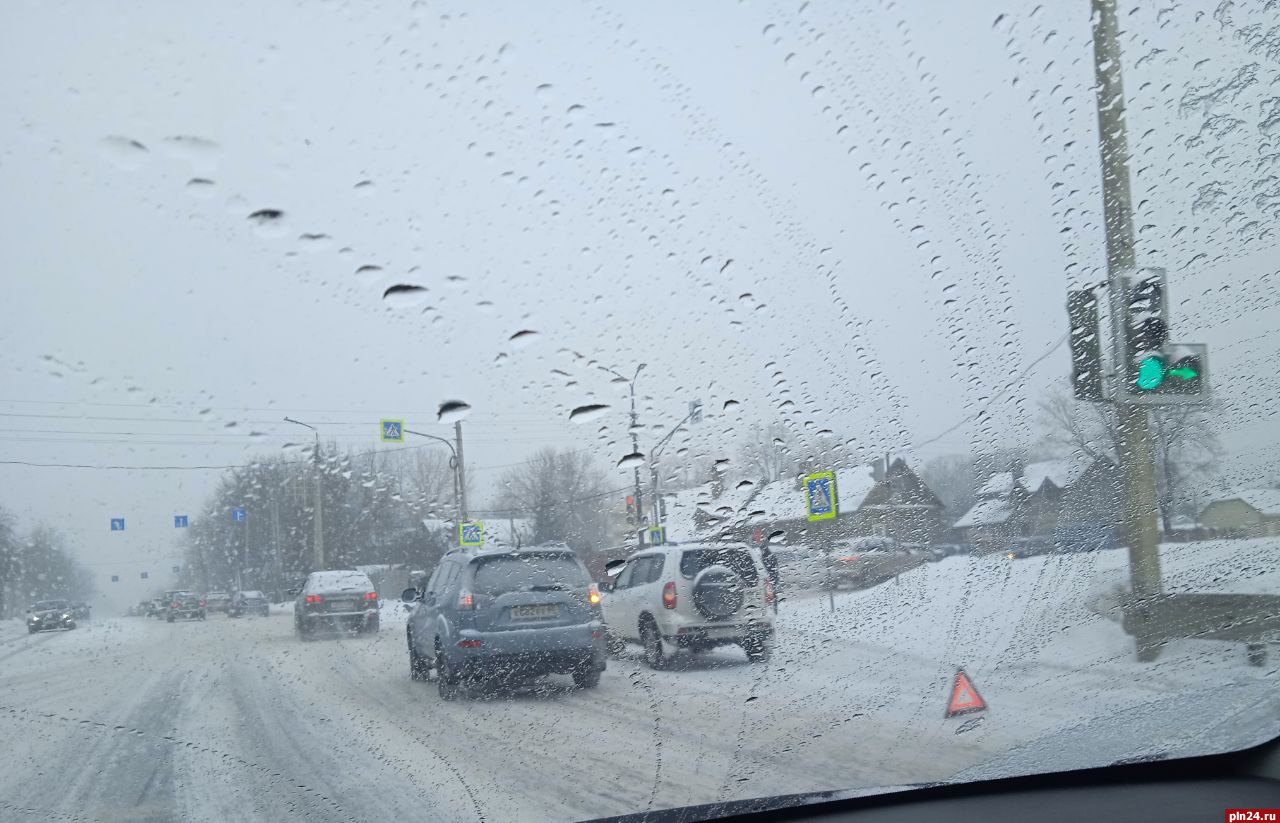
{"x":849,"y":217}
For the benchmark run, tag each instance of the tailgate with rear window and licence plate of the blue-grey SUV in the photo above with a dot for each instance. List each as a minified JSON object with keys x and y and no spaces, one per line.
{"x":529,"y":591}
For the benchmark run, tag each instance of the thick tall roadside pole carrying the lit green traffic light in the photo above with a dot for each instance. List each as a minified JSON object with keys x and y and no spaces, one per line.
{"x":1136,"y":454}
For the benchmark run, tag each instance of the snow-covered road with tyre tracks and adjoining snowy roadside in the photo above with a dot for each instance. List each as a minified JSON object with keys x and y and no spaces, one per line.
{"x":235,"y":720}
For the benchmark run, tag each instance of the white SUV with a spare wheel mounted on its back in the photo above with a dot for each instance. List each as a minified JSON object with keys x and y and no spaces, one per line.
{"x":691,"y":597}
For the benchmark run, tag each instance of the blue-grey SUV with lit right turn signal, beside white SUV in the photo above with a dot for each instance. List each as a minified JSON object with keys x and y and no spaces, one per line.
{"x":487,"y":616}
